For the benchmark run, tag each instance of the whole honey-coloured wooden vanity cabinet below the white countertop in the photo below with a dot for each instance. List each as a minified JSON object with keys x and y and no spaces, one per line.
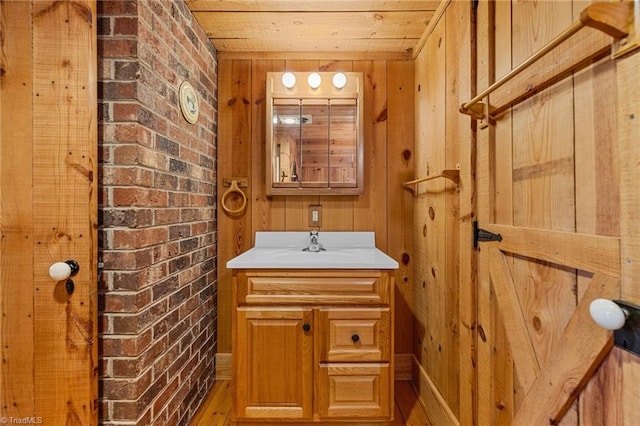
{"x":313,"y":346}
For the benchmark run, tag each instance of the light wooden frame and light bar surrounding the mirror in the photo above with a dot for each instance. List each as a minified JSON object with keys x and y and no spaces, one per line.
{"x":301,"y":90}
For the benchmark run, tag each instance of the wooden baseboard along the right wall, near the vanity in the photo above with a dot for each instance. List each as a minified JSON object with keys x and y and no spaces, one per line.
{"x":436,"y":407}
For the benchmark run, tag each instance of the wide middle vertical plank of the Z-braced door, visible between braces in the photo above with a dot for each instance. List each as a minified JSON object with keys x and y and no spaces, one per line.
{"x":543,"y":195}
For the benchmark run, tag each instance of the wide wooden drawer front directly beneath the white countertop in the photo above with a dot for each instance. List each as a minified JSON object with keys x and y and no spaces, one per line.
{"x":312,"y":287}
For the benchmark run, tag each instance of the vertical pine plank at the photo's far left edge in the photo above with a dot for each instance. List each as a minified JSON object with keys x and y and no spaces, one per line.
{"x":16,"y":220}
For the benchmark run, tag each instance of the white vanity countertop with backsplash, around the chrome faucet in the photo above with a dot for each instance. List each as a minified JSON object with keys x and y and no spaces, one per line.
{"x":343,"y":250}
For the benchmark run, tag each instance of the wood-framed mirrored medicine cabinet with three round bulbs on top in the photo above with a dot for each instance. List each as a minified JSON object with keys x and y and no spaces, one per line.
{"x":314,"y":135}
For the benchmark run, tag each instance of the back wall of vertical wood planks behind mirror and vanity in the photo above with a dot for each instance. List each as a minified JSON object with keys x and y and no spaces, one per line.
{"x":384,"y":207}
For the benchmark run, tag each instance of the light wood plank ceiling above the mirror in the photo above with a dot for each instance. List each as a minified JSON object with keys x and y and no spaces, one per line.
{"x":392,"y":27}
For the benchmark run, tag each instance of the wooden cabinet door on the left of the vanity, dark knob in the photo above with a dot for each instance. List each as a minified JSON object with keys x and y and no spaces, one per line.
{"x":274,"y":356}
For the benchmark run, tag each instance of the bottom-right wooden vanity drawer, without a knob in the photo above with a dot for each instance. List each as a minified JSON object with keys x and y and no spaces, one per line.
{"x":354,"y":390}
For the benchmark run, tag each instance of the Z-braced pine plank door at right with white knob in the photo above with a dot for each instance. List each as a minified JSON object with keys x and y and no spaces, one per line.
{"x":555,"y":177}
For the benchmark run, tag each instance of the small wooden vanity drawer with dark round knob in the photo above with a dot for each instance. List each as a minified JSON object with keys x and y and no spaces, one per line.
{"x":354,"y":334}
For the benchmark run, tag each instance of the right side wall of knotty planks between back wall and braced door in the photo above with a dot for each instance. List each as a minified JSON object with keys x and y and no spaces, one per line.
{"x":444,"y":295}
